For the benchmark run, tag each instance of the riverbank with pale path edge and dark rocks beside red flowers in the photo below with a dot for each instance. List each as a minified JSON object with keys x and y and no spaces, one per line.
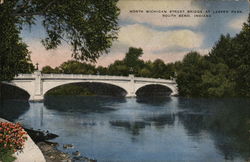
{"x":38,"y":149}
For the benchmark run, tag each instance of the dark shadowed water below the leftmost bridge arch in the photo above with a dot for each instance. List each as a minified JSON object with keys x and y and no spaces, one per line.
{"x":12,"y":109}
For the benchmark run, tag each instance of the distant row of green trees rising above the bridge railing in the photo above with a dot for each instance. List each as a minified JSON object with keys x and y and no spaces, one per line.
{"x":131,"y":64}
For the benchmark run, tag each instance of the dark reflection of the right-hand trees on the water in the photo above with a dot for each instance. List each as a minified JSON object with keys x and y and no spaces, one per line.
{"x":226,"y":120}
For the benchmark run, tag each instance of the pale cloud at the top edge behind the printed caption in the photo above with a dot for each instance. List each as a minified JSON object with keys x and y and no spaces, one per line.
{"x":156,"y":18}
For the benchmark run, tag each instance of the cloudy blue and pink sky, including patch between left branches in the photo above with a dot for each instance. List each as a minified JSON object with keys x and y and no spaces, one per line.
{"x":157,"y":32}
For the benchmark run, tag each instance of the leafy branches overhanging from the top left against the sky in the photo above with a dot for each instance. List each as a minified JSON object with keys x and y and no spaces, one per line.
{"x":88,"y":26}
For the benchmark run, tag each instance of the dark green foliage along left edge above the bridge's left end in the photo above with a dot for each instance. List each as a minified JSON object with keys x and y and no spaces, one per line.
{"x":14,"y":56}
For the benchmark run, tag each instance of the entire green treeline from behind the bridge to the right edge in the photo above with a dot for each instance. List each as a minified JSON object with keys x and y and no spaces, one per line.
{"x":224,"y":72}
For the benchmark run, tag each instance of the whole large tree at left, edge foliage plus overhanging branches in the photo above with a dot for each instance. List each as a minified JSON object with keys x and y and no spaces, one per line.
{"x":89,"y":27}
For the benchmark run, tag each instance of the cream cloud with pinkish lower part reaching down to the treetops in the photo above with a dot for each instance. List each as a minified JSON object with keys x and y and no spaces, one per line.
{"x":169,"y":45}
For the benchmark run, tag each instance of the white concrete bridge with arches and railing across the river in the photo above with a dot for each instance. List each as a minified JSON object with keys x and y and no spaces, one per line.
{"x":38,"y":84}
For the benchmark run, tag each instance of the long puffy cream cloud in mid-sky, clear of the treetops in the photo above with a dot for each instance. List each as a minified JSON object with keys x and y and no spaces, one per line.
{"x":153,"y":40}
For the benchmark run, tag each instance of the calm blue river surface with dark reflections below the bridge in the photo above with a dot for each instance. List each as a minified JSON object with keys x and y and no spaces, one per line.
{"x":160,"y":129}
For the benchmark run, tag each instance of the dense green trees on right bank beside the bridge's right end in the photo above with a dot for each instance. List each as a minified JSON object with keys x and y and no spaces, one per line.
{"x":225,"y":72}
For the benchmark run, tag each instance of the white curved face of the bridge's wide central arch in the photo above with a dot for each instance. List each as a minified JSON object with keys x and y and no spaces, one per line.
{"x":52,"y":85}
